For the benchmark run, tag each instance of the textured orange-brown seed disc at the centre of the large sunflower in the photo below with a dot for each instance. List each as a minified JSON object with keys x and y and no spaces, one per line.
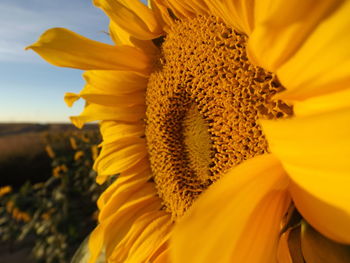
{"x":203,"y":100}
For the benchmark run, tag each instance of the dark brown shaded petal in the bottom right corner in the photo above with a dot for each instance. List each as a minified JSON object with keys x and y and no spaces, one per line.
{"x":318,"y":249}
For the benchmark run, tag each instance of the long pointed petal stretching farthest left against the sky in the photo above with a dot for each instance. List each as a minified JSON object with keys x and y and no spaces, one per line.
{"x":65,"y":48}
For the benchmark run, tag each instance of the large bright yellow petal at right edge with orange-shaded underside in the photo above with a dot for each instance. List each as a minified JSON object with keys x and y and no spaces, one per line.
{"x":314,"y":147}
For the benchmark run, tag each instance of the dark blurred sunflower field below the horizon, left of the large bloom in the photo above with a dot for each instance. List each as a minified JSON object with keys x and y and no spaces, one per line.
{"x":49,"y":193}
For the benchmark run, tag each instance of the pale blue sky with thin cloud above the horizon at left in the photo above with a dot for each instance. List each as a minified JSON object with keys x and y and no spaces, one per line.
{"x":31,"y":89}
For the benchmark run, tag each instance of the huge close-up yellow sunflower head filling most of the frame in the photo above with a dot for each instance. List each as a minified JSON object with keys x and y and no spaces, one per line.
{"x":228,"y":122}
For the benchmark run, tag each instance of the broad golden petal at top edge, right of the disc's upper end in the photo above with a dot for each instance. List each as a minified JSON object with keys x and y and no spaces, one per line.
{"x":282,"y":27}
